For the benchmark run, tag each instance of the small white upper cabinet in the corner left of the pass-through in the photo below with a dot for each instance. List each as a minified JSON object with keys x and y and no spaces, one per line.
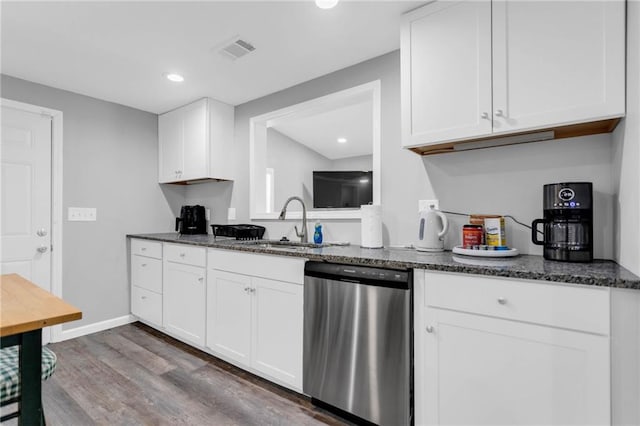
{"x":195,"y":141}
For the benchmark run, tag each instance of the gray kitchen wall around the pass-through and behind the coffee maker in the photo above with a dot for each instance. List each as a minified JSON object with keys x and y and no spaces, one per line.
{"x":504,"y":180}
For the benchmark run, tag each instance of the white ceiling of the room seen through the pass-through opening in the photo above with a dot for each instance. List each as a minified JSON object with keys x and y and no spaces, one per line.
{"x":320,"y":132}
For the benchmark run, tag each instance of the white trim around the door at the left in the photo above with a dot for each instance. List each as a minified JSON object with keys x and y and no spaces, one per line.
{"x":56,"y":195}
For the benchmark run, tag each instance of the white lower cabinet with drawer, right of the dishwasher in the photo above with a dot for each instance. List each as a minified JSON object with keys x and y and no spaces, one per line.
{"x":484,"y":358}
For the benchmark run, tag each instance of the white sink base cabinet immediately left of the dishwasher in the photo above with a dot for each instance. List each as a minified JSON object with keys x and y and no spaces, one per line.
{"x":255,"y":315}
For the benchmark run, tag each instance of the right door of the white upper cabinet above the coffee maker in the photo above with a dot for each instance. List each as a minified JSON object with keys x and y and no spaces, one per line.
{"x":557,"y":62}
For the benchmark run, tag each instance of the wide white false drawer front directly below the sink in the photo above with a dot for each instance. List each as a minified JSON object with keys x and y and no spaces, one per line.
{"x":280,"y":268}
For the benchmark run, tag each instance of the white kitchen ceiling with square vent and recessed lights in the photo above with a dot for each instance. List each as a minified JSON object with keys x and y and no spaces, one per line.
{"x":118,"y":51}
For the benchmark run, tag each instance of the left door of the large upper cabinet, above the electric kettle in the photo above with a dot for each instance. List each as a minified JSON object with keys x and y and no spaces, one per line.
{"x":446,"y":72}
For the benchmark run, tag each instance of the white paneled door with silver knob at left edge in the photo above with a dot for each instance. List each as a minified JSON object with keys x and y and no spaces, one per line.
{"x":25,"y":230}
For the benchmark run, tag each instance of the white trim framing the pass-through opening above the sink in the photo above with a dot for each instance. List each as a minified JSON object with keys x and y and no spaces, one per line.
{"x":362,"y":91}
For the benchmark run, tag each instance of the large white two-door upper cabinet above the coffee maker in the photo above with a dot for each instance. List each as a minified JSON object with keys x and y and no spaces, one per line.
{"x":479,"y":69}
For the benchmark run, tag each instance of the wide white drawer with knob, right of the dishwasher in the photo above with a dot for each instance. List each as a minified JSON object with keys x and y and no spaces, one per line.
{"x":567,"y":306}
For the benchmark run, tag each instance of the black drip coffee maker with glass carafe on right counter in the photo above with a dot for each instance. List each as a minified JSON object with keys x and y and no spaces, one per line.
{"x":568,"y":222}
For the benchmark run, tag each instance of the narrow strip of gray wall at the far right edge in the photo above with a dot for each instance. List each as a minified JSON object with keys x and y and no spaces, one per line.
{"x":627,"y":155}
